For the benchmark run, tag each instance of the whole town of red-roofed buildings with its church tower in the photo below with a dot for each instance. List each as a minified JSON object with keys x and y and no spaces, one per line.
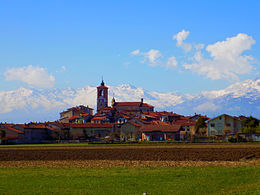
{"x":130,"y":121}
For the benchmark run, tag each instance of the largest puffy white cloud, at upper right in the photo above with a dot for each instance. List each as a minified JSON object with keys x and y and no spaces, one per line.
{"x":227,"y":61}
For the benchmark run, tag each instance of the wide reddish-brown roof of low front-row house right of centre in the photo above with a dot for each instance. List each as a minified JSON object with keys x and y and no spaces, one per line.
{"x":160,"y":128}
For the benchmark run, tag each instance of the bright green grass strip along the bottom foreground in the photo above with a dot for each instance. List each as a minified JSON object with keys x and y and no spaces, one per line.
{"x":130,"y":180}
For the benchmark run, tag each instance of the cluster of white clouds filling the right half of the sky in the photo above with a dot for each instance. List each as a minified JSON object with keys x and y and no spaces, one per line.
{"x":224,"y":59}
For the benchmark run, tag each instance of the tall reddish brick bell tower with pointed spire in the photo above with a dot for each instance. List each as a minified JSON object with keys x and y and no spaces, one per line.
{"x":102,"y":96}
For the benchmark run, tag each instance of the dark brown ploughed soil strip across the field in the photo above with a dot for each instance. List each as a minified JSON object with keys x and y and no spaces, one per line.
{"x":131,"y":154}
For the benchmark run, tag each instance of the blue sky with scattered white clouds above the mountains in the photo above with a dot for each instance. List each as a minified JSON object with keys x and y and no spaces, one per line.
{"x":165,"y":46}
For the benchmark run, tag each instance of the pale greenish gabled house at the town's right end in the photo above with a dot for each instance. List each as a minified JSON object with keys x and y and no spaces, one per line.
{"x":224,"y":124}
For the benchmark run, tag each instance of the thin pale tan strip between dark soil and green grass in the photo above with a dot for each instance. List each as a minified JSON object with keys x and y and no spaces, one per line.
{"x":124,"y":163}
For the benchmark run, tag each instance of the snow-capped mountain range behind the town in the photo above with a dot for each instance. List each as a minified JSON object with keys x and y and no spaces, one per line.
{"x":29,"y":104}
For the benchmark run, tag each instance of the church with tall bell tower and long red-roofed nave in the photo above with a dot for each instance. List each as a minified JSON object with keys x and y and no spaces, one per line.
{"x":128,"y":107}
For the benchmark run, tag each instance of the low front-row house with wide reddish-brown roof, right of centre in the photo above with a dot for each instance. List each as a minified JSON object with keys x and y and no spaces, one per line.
{"x":154,"y":132}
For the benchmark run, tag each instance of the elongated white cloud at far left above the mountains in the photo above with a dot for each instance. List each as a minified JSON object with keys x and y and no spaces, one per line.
{"x":32,"y":75}
